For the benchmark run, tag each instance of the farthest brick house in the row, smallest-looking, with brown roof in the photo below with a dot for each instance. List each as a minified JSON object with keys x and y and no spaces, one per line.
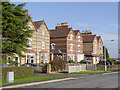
{"x":92,"y":47}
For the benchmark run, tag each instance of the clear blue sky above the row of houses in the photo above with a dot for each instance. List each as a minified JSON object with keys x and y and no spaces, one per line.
{"x":99,"y":17}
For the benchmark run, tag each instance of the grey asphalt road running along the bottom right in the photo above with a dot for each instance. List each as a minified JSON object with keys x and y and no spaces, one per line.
{"x":98,"y":81}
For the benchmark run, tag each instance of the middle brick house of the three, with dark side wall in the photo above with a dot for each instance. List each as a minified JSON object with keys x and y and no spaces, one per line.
{"x":63,"y":39}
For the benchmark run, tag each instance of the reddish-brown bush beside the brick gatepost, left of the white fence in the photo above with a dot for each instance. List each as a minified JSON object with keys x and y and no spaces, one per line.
{"x":57,"y":64}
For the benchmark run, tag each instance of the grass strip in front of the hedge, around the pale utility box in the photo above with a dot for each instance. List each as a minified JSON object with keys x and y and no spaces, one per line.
{"x":30,"y":79}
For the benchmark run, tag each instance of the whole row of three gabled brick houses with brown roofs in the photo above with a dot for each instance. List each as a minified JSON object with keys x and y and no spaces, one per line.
{"x":62,"y":42}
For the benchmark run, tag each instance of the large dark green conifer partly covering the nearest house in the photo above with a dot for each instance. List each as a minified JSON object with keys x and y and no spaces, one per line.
{"x":15,"y":32}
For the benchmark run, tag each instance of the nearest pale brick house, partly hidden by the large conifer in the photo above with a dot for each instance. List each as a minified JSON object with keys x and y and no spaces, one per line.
{"x":39,"y":50}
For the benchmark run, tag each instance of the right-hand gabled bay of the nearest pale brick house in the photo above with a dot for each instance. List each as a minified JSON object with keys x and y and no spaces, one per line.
{"x":42,"y":42}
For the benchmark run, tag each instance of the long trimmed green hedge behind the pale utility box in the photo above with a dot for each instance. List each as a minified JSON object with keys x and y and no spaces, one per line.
{"x":18,"y":71}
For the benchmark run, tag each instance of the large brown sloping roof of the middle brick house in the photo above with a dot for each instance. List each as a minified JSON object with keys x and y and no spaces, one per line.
{"x":59,"y":32}
